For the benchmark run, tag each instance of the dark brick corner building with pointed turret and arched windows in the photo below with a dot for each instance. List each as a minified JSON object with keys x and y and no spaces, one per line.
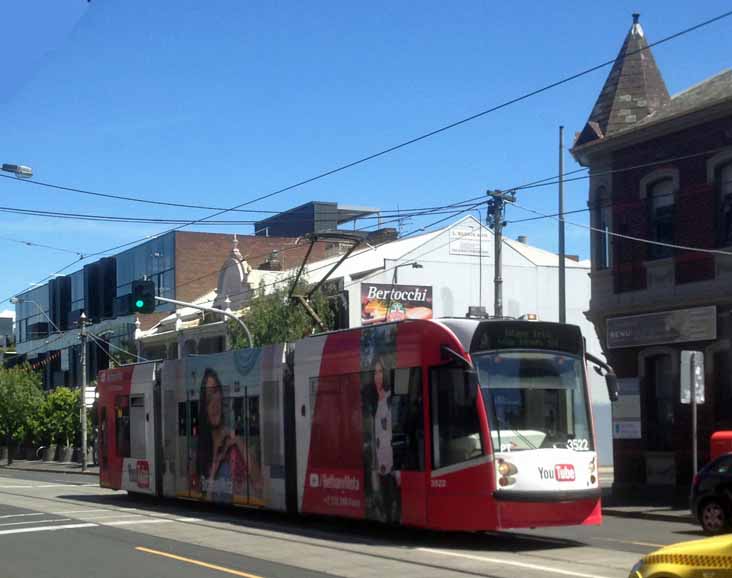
{"x":661,"y":169}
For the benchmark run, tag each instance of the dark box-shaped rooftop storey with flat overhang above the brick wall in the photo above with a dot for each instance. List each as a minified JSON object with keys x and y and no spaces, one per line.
{"x":312,"y":217}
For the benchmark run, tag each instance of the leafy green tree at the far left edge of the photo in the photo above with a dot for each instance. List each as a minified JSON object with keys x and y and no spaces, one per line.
{"x":20,"y":398}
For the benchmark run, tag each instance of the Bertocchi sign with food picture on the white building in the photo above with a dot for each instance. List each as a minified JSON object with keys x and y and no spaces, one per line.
{"x":381,"y":302}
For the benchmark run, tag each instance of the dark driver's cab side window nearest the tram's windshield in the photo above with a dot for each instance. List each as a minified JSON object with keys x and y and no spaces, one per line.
{"x":454,"y":417}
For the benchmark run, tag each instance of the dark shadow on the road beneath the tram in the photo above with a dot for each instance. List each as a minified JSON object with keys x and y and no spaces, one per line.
{"x":346,"y":531}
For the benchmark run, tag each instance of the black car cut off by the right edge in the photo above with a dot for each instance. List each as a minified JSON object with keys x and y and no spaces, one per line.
{"x":711,"y":495}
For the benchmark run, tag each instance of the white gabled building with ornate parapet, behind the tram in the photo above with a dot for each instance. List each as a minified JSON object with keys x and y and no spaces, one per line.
{"x":442,"y":273}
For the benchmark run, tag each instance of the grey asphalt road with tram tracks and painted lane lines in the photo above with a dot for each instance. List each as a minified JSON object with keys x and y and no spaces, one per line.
{"x":65,"y":525}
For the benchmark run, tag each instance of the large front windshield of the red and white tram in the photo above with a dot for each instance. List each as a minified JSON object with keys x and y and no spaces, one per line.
{"x":535,"y":399}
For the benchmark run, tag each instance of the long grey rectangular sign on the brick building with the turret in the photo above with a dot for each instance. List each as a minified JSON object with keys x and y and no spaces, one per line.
{"x":678,"y":326}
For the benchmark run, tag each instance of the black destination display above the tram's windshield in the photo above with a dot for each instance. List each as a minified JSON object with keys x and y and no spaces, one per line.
{"x":492,"y":335}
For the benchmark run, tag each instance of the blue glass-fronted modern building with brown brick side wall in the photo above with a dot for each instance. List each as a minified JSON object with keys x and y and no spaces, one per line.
{"x":184,"y":265}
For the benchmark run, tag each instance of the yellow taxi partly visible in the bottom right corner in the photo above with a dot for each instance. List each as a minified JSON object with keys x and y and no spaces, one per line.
{"x":707,"y":558}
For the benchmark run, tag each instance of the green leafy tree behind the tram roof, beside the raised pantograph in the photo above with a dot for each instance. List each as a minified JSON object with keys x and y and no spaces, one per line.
{"x":273,"y":318}
